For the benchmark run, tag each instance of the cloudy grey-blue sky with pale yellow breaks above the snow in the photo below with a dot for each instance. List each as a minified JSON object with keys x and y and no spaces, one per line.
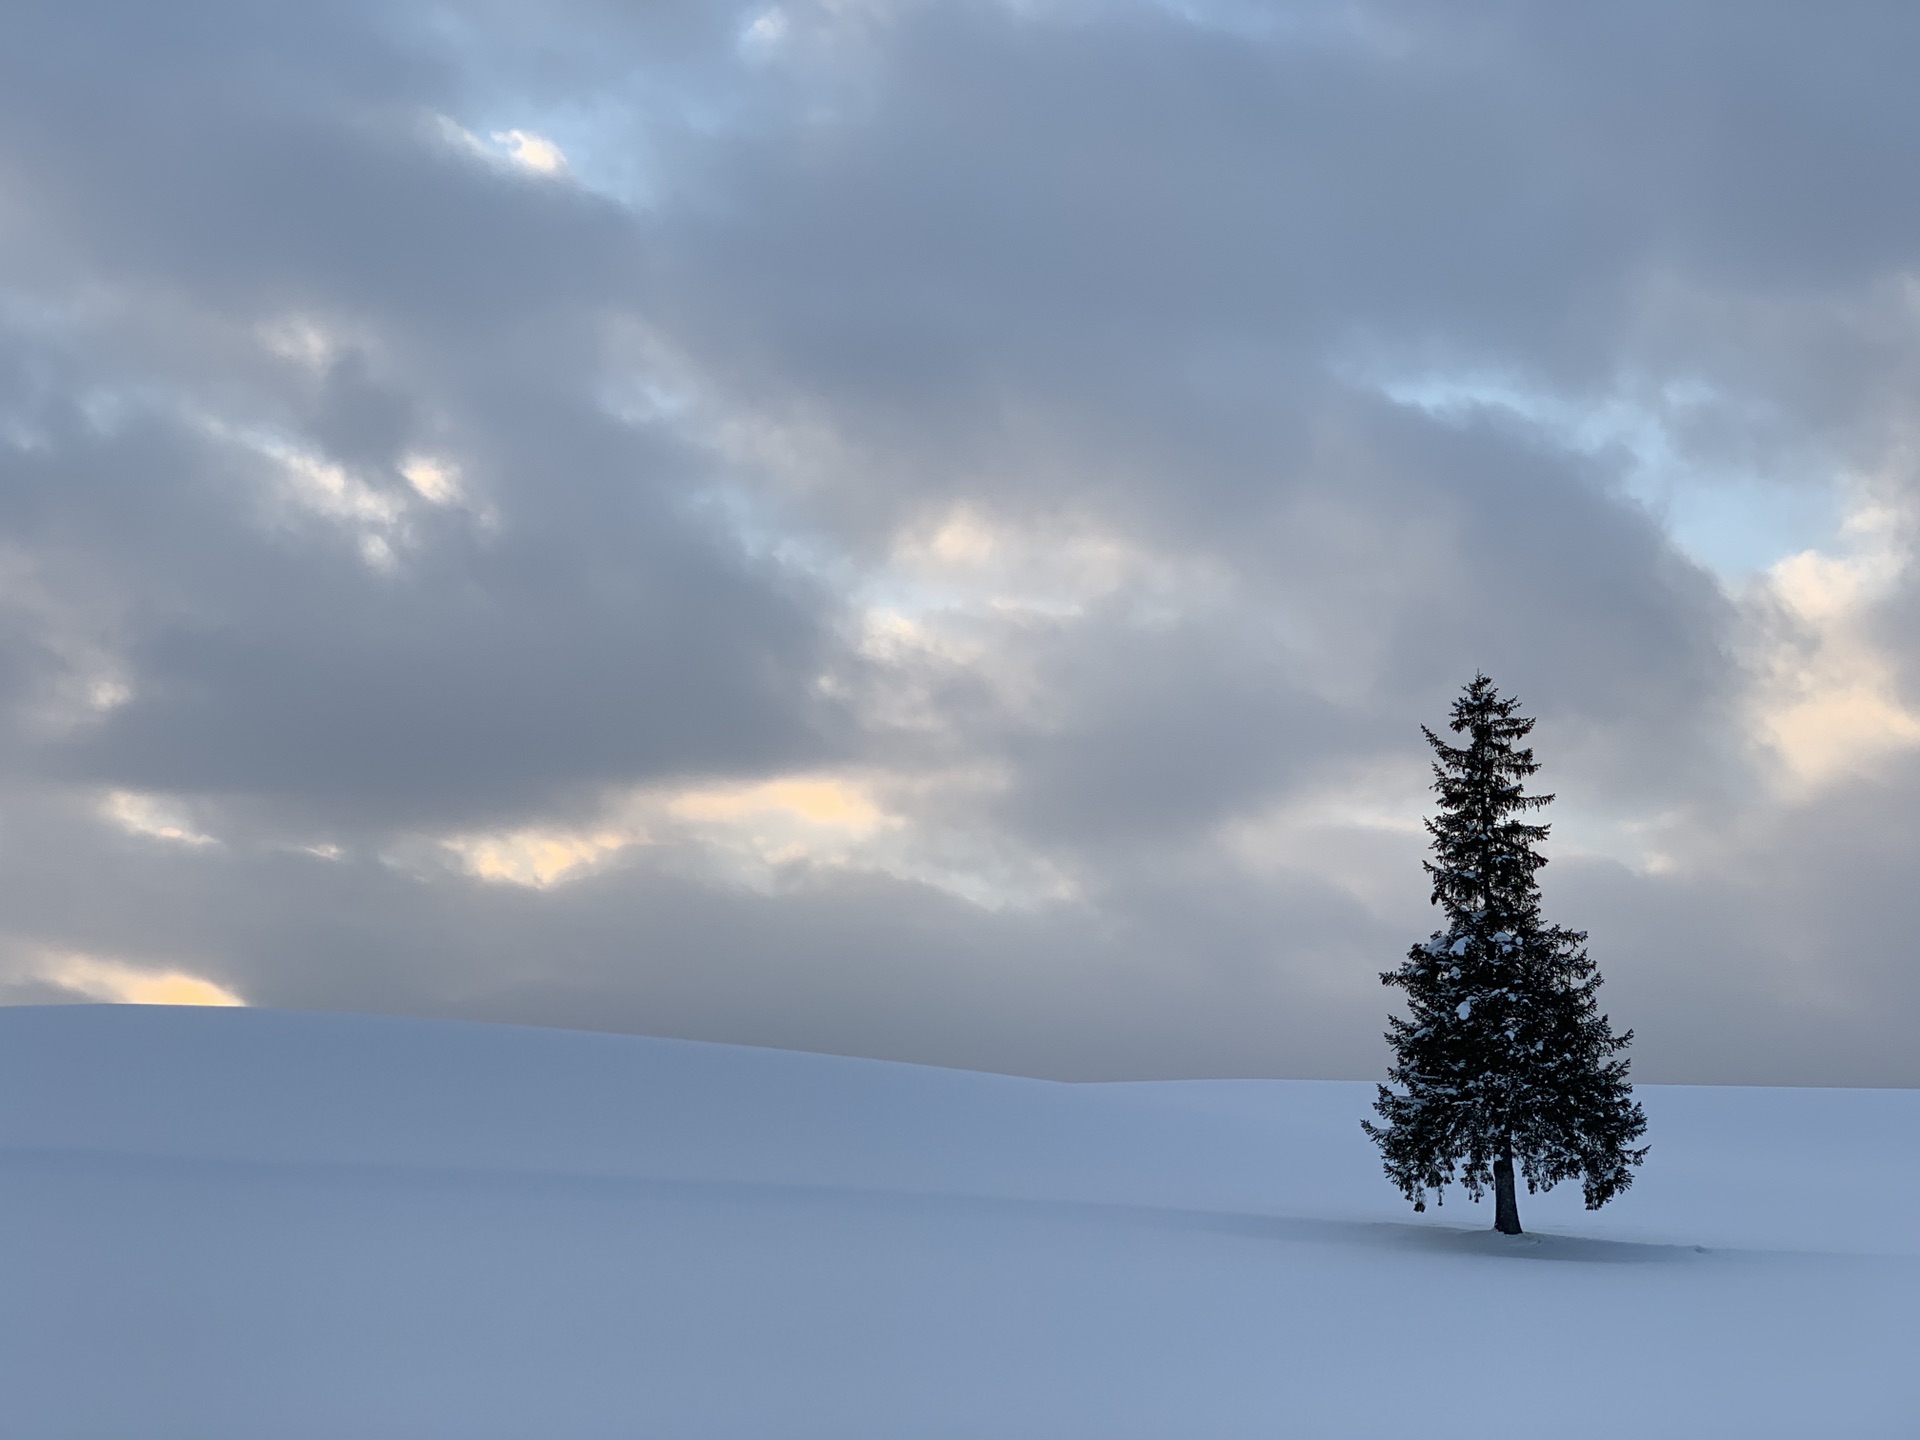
{"x":930,"y":529}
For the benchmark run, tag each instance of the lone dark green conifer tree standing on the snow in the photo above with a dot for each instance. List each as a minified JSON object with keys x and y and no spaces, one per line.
{"x":1502,"y":1057}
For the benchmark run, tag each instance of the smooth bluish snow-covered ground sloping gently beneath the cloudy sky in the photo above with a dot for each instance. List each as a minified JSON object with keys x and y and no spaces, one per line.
{"x":252,"y":1226}
